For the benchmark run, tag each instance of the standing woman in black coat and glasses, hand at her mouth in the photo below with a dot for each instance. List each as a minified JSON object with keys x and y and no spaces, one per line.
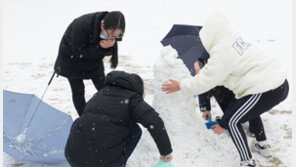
{"x":87,"y":40}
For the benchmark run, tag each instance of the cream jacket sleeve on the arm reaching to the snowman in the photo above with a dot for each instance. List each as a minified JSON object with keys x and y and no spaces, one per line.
{"x":210,"y":76}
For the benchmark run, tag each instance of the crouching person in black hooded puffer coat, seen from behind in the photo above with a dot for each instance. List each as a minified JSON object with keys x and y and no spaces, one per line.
{"x":107,"y":132}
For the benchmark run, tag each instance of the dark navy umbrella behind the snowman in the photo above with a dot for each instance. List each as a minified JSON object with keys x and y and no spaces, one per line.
{"x":185,"y":39}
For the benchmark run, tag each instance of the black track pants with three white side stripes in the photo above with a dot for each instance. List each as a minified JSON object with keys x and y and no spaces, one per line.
{"x":250,"y":108}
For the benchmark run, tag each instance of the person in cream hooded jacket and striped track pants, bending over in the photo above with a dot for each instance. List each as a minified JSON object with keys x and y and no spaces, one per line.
{"x":257,"y":80}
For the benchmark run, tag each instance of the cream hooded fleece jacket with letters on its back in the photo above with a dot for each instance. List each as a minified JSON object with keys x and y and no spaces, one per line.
{"x":234,"y":63}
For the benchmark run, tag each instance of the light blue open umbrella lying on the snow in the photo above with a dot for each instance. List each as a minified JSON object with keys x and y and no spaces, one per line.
{"x":33,"y":135}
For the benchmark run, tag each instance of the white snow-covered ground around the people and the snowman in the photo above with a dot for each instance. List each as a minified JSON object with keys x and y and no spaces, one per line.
{"x":33,"y":29}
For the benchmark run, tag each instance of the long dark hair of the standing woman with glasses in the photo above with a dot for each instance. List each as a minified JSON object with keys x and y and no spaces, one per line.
{"x":114,"y":20}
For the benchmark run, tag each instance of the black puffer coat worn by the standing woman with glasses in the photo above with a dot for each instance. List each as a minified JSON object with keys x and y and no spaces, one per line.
{"x":80,"y":54}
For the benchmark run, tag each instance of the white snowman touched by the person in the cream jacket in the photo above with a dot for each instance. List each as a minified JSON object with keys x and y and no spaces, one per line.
{"x":176,"y":106}
